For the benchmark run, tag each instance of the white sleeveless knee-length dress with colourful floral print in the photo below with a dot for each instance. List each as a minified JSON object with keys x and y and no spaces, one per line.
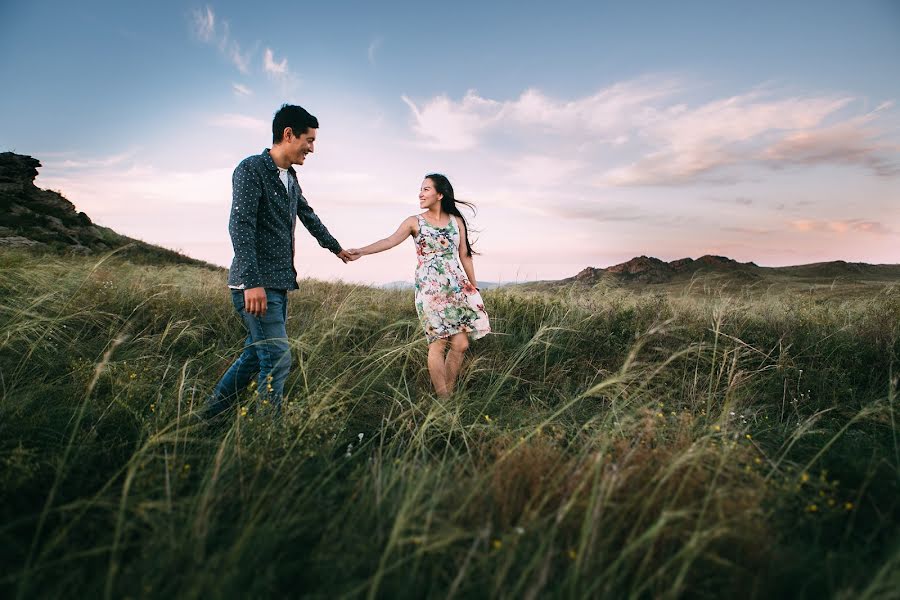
{"x":446,"y":300}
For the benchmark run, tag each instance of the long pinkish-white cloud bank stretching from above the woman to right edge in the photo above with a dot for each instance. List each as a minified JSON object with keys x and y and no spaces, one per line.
{"x":670,"y":142}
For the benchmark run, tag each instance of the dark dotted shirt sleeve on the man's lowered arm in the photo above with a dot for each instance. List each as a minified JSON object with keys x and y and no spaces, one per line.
{"x":246,"y":193}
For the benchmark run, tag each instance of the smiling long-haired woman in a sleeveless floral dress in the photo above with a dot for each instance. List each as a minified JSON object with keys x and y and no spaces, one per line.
{"x":447,"y":297}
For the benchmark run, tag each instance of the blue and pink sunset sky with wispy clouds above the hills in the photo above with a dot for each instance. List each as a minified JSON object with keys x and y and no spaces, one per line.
{"x":586,"y":133}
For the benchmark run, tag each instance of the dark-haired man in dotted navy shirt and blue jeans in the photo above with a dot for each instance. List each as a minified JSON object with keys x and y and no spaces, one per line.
{"x":266,"y":199}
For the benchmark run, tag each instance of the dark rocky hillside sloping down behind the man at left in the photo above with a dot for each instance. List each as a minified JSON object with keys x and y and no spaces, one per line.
{"x":45,"y":221}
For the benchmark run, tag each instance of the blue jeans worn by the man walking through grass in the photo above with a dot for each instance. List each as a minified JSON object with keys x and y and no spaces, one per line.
{"x":266,"y":355}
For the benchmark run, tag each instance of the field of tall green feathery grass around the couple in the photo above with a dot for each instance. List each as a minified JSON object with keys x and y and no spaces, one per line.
{"x":604,"y":444}
